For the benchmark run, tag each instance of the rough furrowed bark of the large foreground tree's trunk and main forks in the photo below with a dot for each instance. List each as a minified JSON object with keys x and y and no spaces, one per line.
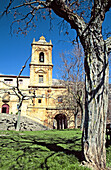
{"x":96,"y":78}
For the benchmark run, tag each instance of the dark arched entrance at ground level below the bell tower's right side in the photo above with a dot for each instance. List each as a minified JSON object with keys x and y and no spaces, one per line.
{"x":61,"y":121}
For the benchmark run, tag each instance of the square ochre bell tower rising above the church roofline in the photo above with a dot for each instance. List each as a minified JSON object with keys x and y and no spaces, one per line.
{"x":41,"y":63}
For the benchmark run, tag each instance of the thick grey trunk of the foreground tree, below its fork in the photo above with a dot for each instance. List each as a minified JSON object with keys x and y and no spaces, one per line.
{"x":96,"y":102}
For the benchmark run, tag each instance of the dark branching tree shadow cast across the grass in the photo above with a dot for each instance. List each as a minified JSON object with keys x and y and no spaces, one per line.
{"x":25,"y":145}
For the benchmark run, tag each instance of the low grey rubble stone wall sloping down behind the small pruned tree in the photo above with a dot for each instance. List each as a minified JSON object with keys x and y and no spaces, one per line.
{"x":8,"y":122}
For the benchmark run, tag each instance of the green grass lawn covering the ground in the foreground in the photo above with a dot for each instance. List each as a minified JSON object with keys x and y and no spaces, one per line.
{"x":53,"y":150}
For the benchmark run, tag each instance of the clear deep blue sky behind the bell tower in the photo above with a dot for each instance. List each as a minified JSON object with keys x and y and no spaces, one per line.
{"x":15,"y":49}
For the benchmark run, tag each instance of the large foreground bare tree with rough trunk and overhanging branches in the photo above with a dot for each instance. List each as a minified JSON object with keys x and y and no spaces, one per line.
{"x":86,"y":17}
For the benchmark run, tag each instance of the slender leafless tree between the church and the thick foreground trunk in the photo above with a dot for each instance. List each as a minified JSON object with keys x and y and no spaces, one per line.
{"x":72,"y":75}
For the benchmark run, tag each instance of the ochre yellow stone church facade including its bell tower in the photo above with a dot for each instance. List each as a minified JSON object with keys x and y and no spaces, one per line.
{"x":44,"y":107}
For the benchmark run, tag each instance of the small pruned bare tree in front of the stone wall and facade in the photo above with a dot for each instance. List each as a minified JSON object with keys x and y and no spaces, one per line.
{"x":19,"y":93}
